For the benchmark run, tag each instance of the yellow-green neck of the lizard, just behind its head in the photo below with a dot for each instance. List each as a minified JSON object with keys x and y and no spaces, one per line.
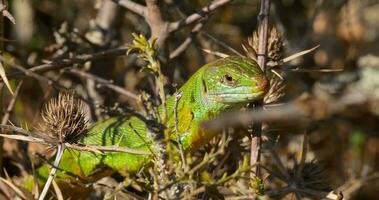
{"x":192,"y":108}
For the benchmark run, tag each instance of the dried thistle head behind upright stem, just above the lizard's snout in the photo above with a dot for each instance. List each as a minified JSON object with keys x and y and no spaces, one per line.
{"x":275,"y":45}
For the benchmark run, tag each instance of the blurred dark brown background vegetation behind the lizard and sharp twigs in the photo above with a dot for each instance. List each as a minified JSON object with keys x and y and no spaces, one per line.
{"x":345,"y":144}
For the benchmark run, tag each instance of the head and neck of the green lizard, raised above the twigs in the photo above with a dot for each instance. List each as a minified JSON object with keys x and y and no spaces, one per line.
{"x":224,"y":84}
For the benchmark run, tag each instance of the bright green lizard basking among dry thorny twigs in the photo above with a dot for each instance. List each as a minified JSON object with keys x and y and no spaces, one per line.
{"x":224,"y":84}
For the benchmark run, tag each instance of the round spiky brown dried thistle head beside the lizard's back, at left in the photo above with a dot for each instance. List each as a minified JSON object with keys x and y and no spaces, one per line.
{"x":63,"y":119}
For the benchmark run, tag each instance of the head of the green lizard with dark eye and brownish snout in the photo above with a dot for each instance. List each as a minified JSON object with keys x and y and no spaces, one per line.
{"x":234,"y":80}
